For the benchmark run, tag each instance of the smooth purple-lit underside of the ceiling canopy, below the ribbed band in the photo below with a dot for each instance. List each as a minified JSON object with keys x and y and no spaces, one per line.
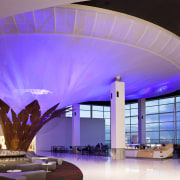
{"x":57,"y":68}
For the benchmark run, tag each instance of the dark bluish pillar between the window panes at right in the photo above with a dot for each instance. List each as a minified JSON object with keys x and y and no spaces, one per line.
{"x":141,"y":121}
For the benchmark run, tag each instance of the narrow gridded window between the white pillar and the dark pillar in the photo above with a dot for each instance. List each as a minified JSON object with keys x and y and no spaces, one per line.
{"x":131,"y":123}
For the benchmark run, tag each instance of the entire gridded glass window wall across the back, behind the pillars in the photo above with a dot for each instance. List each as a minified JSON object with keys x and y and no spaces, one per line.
{"x":162,"y":120}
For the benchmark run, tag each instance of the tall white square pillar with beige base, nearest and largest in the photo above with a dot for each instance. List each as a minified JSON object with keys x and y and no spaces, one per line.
{"x":118,"y":120}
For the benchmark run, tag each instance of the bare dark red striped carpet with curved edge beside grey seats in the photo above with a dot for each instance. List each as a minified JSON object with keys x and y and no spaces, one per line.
{"x":66,"y":171}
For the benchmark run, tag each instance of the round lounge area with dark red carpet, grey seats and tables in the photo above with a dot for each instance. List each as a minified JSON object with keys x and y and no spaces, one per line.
{"x":57,"y":169}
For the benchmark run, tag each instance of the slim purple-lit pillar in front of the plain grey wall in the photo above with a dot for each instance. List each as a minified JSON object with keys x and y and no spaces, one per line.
{"x":75,"y":126}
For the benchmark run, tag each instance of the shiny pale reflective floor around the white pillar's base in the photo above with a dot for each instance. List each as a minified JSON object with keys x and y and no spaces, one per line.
{"x":104,"y":168}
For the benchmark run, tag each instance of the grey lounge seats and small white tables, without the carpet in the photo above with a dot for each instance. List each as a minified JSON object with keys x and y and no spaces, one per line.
{"x":34,"y":168}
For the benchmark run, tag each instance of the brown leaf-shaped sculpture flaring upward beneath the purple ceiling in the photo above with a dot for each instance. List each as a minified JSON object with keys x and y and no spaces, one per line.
{"x":21,"y":130}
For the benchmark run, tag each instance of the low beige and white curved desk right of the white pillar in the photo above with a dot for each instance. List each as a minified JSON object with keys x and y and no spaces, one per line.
{"x":162,"y":152}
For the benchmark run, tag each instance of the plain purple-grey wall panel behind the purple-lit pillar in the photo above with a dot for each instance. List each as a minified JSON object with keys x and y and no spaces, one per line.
{"x":59,"y":132}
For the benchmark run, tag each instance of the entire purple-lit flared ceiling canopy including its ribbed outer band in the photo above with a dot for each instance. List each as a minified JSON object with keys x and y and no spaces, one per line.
{"x":71,"y":54}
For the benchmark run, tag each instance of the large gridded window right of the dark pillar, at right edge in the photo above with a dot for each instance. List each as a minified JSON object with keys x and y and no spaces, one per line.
{"x":162,"y":124}
